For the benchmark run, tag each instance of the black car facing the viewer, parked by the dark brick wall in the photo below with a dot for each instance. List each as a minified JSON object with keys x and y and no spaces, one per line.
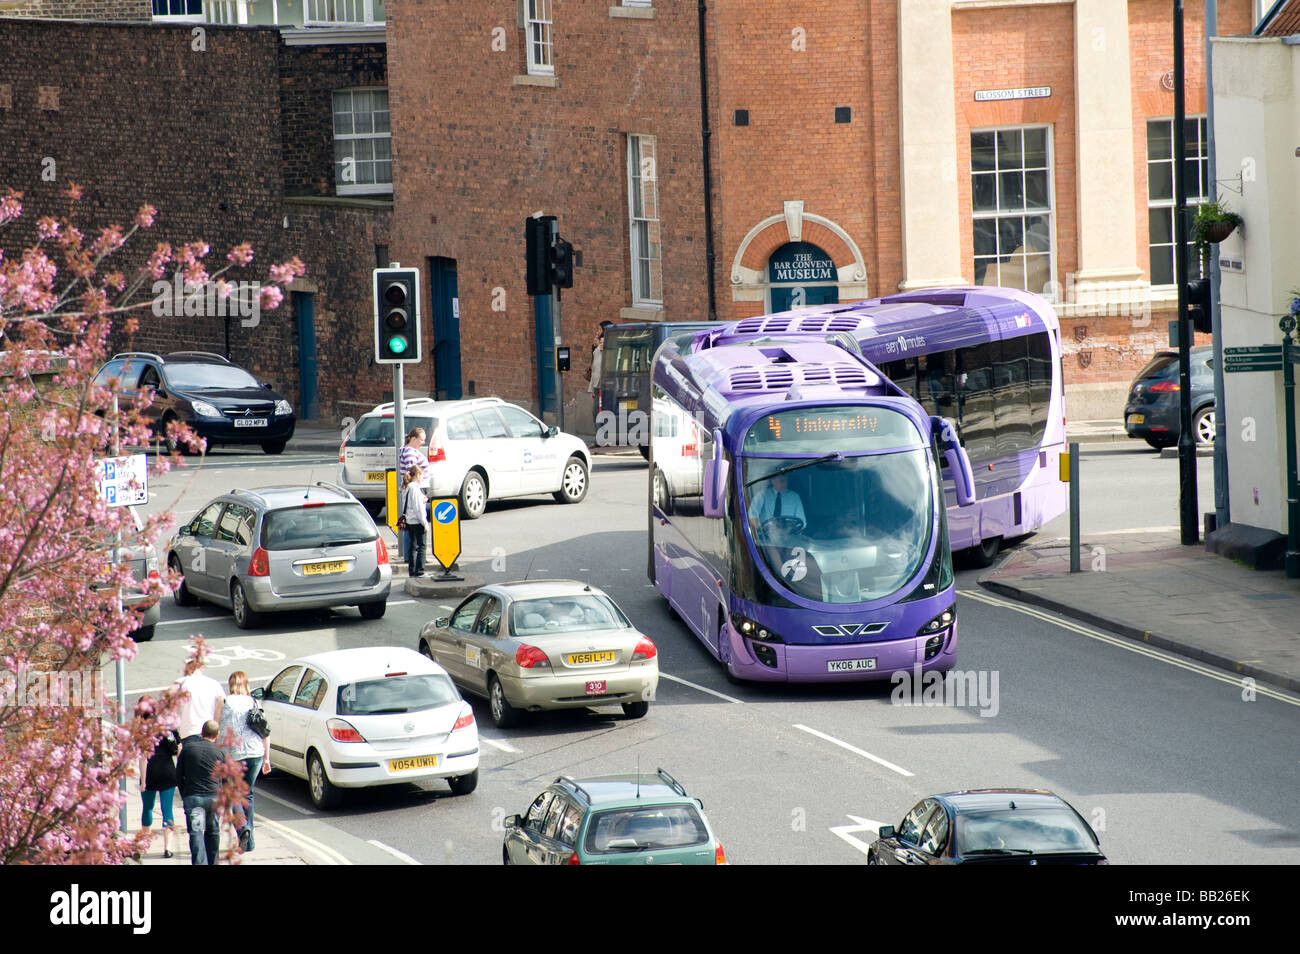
{"x":220,"y":401}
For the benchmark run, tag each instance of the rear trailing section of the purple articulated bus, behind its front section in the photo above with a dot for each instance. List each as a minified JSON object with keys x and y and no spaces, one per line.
{"x":990,"y":361}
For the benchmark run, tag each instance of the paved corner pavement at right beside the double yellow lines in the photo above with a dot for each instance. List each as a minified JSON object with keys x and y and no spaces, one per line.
{"x":1149,"y":587}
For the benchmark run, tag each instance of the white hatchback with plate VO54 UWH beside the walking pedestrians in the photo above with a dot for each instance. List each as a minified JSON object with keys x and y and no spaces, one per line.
{"x":370,"y":717}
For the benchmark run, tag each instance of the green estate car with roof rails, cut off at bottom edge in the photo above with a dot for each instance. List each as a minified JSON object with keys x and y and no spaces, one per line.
{"x":616,"y":819}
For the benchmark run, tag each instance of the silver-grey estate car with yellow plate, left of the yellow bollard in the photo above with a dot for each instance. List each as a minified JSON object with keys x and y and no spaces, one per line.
{"x":288,"y":548}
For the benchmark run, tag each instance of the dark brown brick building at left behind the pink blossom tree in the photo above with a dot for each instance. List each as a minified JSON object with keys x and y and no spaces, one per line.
{"x":274,"y":133}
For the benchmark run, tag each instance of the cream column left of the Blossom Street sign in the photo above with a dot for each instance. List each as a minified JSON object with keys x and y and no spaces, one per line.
{"x":931,"y":222}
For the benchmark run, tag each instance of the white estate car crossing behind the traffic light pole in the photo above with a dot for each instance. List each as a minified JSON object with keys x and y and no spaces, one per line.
{"x":478,"y":450}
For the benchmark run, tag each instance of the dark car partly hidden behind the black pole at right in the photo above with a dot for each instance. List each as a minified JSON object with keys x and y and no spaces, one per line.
{"x":1151,"y":413}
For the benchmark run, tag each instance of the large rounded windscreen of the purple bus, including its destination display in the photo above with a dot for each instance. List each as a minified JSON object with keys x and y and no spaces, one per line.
{"x":839,"y":528}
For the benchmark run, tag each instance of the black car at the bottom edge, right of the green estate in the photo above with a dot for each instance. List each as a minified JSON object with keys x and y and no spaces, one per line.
{"x":990,"y":827}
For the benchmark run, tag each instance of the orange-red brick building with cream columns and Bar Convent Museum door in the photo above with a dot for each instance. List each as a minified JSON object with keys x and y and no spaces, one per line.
{"x":855,"y":149}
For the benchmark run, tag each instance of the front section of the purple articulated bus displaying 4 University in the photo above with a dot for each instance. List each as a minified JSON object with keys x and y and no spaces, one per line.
{"x":812,"y":541}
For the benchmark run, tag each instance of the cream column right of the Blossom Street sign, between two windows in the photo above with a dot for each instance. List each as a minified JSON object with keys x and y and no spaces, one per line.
{"x":1104,"y":146}
